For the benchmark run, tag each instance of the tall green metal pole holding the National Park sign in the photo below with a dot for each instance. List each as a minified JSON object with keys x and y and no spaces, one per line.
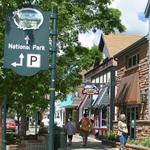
{"x":53,"y":77}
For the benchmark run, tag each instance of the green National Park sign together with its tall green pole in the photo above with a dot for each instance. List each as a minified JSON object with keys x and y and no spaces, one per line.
{"x":27,"y":47}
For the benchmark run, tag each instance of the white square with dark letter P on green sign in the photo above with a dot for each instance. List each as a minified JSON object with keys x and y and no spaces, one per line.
{"x":34,"y":60}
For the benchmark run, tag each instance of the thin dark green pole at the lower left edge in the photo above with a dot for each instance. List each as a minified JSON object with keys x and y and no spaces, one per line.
{"x":4,"y":118}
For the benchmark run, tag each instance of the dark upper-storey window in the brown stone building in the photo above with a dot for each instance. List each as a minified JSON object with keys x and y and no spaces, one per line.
{"x":133,"y":60}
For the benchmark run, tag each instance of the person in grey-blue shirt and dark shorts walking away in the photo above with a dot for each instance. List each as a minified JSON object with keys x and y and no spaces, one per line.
{"x":71,"y":130}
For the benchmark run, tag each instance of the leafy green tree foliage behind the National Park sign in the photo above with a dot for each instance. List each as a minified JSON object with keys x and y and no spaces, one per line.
{"x":74,"y":17}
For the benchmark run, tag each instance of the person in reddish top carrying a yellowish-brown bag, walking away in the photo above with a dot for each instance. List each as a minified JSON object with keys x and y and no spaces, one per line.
{"x":85,"y":128}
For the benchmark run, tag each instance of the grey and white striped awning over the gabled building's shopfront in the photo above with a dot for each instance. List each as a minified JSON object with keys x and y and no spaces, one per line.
{"x":102,"y":99}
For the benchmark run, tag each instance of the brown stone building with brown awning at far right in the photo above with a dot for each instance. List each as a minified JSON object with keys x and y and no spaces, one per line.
{"x":132,"y":87}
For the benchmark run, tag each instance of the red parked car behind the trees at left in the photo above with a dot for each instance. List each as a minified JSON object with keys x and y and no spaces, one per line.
{"x":10,"y":125}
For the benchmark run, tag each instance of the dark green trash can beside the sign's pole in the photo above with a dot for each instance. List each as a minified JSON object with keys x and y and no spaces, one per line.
{"x":60,"y":139}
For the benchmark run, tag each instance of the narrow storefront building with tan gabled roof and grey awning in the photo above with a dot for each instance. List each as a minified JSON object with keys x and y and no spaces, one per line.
{"x":104,"y":76}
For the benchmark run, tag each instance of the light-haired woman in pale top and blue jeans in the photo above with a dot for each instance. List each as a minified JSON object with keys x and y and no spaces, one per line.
{"x":122,"y":131}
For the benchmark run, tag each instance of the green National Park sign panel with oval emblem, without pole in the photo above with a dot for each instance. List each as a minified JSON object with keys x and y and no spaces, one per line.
{"x":27,"y":41}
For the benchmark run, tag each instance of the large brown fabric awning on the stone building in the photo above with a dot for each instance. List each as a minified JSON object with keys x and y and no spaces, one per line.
{"x":128,"y":91}
